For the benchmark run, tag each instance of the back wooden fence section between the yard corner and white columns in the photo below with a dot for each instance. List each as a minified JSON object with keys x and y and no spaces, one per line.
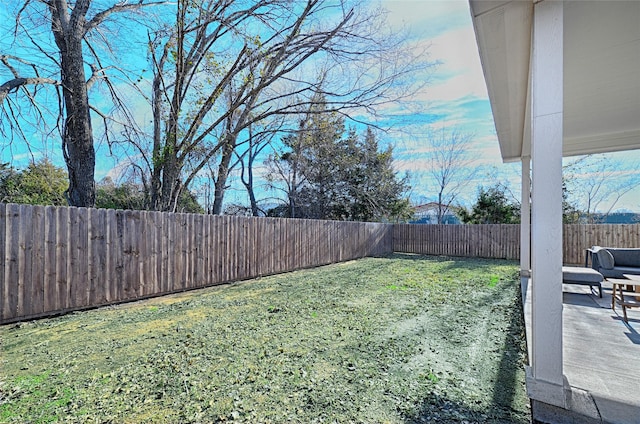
{"x":483,"y":241}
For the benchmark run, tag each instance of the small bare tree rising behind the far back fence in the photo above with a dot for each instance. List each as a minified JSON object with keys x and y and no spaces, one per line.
{"x":450,"y":166}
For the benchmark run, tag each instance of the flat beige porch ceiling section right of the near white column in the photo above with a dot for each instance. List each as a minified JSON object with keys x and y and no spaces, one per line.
{"x":601,"y":76}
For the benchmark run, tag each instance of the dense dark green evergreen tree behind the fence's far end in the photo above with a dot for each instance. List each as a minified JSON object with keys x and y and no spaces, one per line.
{"x":326,"y":174}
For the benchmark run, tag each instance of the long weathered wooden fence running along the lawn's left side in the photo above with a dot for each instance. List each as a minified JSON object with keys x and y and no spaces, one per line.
{"x":61,"y":259}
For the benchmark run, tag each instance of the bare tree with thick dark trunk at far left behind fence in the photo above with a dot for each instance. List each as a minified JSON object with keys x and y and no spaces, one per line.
{"x":60,"y":65}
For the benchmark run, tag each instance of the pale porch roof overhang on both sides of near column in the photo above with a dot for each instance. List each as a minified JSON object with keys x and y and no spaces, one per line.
{"x":601,"y":73}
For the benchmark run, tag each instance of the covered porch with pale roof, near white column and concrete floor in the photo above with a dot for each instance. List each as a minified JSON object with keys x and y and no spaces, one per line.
{"x":564,"y":79}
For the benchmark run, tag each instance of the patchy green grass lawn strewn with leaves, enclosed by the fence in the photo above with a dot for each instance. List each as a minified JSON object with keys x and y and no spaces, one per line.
{"x":399,"y":339}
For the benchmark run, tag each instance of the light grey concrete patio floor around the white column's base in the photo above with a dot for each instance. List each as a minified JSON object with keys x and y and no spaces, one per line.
{"x":601,"y":360}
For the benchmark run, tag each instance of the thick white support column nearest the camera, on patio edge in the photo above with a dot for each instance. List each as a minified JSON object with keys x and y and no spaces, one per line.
{"x":546,"y":209}
